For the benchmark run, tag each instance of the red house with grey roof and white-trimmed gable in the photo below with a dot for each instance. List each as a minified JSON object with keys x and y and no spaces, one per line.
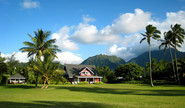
{"x":79,"y":73}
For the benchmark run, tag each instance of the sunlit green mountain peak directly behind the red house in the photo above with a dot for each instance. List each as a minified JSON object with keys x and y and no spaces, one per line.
{"x":104,"y":60}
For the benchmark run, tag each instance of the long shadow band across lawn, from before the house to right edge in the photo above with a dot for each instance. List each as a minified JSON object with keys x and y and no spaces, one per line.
{"x":126,"y":91}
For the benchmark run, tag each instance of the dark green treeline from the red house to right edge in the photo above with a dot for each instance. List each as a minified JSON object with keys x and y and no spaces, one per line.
{"x":162,"y":72}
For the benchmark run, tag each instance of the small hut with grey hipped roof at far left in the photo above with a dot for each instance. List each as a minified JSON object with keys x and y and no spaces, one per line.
{"x":17,"y":79}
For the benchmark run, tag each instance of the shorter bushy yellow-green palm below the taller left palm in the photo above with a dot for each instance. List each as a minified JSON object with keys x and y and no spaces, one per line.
{"x":47,"y":68}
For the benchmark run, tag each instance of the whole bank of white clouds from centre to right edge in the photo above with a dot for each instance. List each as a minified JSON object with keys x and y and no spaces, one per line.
{"x":123,"y":35}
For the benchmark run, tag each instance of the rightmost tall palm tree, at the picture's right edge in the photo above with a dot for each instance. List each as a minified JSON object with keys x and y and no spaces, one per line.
{"x":178,"y":34}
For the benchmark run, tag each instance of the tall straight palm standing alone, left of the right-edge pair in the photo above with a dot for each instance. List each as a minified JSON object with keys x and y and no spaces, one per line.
{"x":151,"y":31}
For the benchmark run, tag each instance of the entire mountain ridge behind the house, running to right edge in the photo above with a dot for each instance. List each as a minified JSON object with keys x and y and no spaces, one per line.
{"x":113,"y":61}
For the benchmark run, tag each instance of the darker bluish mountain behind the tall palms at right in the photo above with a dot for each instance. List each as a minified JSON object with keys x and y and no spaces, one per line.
{"x":158,"y":54}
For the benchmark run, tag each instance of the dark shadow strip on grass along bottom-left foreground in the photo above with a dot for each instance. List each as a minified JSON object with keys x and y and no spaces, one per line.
{"x":53,"y":104}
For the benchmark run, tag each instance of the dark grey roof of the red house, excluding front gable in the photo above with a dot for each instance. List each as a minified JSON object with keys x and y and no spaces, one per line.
{"x":73,"y":70}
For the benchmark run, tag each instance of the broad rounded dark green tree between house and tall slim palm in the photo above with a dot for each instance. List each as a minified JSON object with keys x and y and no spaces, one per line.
{"x":129,"y":71}
